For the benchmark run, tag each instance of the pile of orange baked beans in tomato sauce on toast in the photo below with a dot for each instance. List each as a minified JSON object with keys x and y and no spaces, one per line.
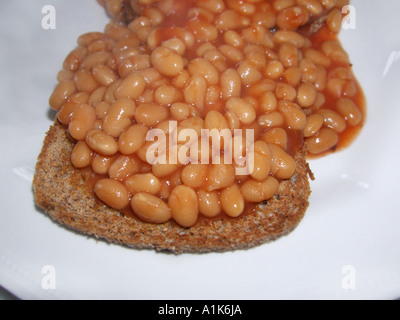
{"x":233,"y":64}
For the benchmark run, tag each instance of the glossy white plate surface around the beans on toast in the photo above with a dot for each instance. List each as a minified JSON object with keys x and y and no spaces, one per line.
{"x":347,"y":246}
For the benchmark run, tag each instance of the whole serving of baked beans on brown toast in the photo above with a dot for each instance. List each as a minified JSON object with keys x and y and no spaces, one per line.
{"x":186,"y":125}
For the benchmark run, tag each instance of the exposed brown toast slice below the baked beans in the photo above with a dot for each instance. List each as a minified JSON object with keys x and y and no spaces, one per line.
{"x":63,"y":193}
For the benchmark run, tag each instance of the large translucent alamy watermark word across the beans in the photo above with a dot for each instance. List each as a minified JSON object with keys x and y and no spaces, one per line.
{"x":215,"y":146}
